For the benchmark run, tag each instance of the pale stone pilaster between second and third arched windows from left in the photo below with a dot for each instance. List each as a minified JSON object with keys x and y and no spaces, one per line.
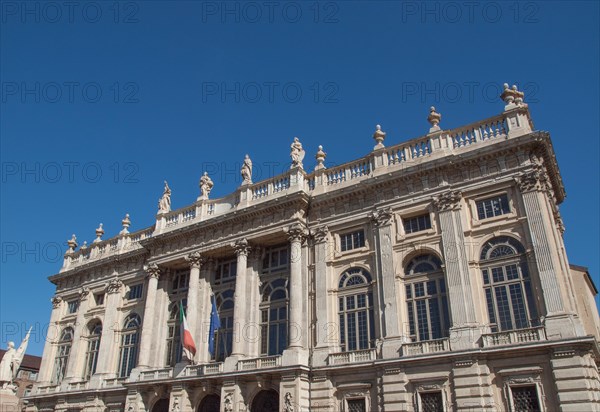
{"x":109,"y":341}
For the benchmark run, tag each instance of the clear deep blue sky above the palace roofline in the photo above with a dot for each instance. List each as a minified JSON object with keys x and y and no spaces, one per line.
{"x":101,"y":103}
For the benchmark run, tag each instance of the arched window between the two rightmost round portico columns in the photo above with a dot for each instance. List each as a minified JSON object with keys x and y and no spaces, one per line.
{"x":274,"y":315}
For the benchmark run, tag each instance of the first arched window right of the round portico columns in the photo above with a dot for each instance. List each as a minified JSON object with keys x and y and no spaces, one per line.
{"x":355,"y":309}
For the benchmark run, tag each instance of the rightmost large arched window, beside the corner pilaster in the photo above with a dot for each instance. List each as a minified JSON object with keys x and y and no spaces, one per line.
{"x":507,"y":285}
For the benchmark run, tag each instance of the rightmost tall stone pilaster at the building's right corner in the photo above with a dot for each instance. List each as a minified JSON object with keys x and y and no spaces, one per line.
{"x":546,"y":259}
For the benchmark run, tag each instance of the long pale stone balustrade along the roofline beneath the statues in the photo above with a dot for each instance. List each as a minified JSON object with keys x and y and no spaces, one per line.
{"x":512,"y":123}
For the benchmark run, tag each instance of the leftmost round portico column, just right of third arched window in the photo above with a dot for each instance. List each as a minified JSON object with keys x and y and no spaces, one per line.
{"x":147,"y":339}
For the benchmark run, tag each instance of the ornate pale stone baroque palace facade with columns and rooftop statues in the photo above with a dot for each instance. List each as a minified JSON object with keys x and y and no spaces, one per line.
{"x":430,"y":275}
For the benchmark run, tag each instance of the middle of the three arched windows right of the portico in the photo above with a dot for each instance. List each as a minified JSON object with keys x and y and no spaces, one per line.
{"x":427,"y":303}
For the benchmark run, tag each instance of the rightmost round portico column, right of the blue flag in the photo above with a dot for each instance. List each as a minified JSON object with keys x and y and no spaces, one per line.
{"x":296,"y":234}
